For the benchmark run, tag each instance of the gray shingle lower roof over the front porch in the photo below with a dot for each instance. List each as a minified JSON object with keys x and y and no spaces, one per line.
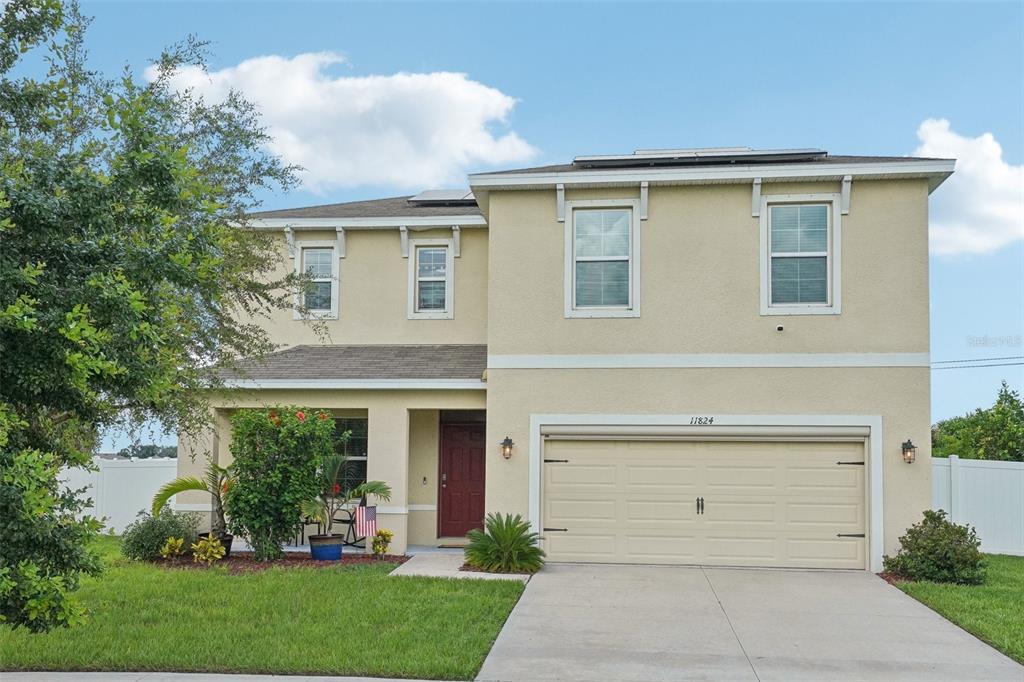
{"x":369,"y":363}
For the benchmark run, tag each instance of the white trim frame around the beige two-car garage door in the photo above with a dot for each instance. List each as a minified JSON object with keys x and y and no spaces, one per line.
{"x":782,"y":425}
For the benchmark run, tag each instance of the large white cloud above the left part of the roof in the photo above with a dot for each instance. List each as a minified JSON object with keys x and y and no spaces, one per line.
{"x":405,"y":131}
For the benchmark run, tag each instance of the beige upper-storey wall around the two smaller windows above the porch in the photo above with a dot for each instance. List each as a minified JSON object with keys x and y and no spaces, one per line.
{"x":374,"y":292}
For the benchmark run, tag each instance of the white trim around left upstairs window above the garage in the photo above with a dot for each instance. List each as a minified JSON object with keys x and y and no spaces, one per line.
{"x":570,"y":275}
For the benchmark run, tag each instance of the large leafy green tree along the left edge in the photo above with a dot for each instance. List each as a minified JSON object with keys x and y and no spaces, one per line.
{"x":126,"y":271}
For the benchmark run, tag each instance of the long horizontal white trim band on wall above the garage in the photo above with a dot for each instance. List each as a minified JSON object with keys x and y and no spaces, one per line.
{"x":638,"y":361}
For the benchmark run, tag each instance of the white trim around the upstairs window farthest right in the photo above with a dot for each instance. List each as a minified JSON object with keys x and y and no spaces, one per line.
{"x":835,"y":257}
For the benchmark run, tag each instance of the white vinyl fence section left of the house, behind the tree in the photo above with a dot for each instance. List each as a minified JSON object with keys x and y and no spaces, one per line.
{"x":121,"y":488}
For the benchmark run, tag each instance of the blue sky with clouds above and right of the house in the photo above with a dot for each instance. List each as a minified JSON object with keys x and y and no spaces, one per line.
{"x":549,"y":81}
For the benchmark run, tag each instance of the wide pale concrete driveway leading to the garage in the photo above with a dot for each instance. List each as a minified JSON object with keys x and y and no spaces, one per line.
{"x":579,"y":622}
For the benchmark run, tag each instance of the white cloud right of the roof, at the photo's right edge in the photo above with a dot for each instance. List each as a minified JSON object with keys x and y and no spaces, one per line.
{"x":982,"y":207}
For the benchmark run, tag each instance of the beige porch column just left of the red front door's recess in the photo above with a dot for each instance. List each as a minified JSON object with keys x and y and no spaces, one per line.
{"x":388,"y":460}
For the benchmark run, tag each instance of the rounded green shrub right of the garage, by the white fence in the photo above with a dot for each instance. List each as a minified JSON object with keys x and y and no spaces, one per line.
{"x":940,"y":551}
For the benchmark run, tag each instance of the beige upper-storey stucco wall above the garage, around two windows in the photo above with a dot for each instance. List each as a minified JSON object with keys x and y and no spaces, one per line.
{"x":700,"y":276}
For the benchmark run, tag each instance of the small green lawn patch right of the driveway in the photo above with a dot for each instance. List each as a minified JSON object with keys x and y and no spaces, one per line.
{"x":994,"y":612}
